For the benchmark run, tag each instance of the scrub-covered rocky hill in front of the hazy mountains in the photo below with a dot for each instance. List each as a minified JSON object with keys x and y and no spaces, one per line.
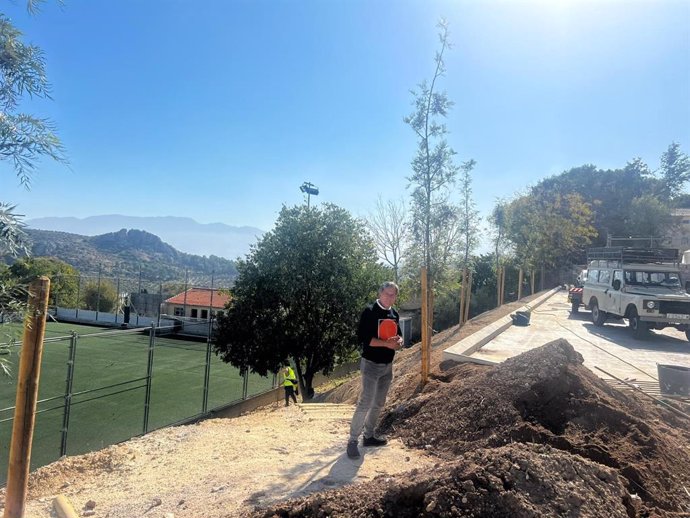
{"x":126,"y":253}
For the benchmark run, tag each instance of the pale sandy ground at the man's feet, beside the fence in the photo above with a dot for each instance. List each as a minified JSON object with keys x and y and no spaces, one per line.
{"x":217,"y":467}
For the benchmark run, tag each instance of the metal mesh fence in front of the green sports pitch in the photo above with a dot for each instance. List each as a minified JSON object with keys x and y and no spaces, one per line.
{"x":103,"y":387}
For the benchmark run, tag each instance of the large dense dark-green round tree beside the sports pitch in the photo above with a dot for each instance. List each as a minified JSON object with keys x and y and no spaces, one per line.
{"x":299,"y":294}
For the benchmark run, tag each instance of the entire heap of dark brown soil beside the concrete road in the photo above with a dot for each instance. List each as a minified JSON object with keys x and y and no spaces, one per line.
{"x":538,"y":435}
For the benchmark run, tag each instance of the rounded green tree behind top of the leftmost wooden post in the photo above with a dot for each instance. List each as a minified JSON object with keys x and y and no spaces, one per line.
{"x":64,"y":279}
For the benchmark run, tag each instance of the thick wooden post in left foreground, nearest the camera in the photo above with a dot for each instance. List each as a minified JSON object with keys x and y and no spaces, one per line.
{"x":27,"y":395}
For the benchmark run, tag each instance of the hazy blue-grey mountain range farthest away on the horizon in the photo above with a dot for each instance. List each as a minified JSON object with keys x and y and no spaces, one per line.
{"x":185,"y":234}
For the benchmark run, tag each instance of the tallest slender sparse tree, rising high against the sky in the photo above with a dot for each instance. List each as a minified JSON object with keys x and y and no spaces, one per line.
{"x":435,"y":224}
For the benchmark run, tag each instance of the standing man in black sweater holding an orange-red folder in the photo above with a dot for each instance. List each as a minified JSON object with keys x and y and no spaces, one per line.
{"x":379,"y":336}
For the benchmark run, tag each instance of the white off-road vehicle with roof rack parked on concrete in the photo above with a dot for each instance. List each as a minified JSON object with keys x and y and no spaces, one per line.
{"x":640,"y":284}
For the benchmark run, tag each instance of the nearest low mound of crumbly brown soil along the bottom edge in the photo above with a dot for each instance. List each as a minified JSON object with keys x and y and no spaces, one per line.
{"x":512,"y":481}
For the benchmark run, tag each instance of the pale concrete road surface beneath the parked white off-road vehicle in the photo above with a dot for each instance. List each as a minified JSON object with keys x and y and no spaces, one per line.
{"x":610,"y":347}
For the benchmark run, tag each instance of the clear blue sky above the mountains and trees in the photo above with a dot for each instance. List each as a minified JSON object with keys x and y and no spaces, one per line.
{"x":220,"y":109}
